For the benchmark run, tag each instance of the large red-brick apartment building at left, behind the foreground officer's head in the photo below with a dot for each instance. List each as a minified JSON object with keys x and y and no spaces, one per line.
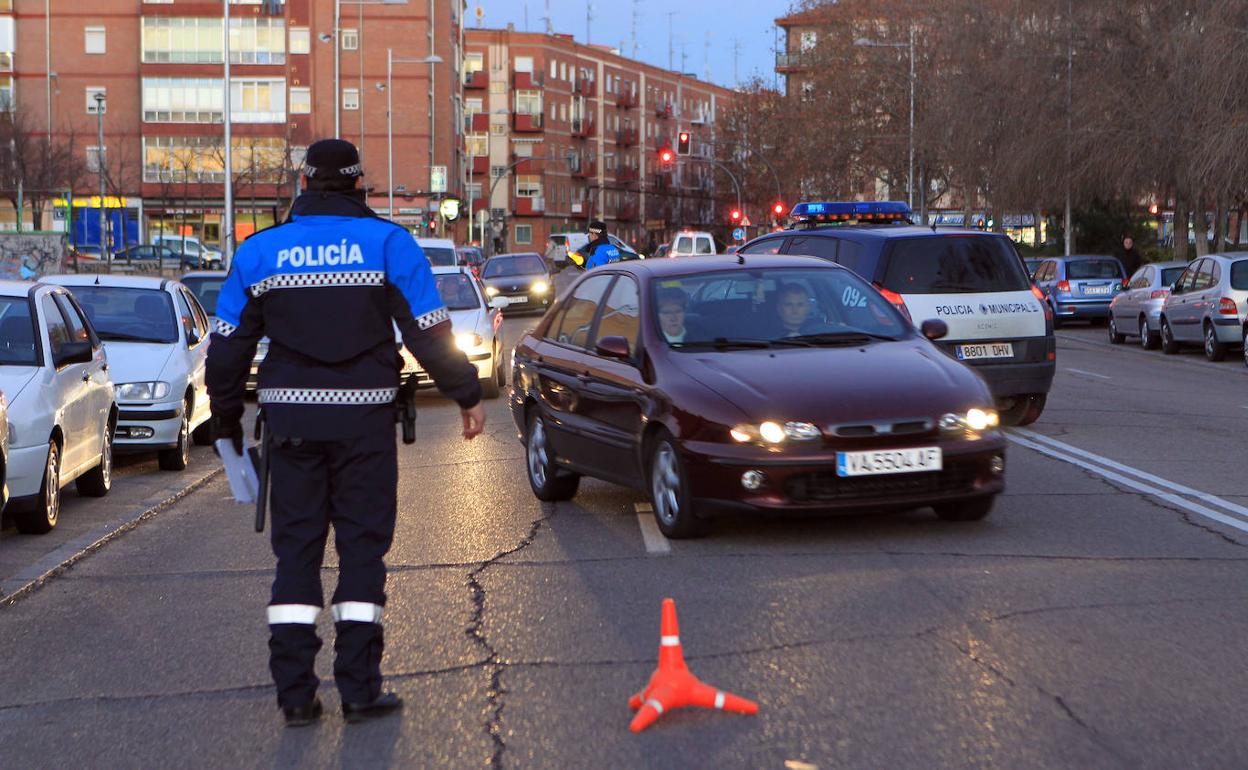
{"x":159,"y":66}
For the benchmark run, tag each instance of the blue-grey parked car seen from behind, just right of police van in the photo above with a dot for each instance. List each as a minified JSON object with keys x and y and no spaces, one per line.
{"x":1080,"y":288}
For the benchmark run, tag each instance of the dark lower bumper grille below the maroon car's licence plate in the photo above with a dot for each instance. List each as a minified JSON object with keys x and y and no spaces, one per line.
{"x":827,"y":487}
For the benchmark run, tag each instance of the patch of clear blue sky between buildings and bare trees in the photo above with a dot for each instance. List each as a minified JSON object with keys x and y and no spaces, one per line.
{"x":751,"y":23}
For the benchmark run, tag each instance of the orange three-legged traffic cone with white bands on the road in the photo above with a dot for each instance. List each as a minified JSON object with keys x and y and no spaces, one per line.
{"x":673,"y":686}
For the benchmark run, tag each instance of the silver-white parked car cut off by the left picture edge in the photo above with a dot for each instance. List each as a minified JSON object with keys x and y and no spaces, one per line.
{"x":54,"y":374}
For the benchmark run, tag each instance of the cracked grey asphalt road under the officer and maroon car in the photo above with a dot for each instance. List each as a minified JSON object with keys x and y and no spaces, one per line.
{"x":1095,"y":621}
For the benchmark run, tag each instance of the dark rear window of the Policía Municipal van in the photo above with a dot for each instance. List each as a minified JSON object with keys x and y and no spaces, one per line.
{"x":954,"y":265}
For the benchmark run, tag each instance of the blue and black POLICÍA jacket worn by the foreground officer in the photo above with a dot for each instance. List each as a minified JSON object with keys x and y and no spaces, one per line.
{"x":325,"y":288}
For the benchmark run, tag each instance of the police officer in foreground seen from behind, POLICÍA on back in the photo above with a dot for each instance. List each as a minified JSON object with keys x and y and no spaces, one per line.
{"x":324,"y":288}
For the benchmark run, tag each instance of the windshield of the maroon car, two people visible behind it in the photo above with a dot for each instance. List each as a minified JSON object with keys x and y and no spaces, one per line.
{"x":777,"y":308}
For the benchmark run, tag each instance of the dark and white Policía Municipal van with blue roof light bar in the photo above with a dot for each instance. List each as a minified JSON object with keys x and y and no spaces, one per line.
{"x":972,"y":280}
